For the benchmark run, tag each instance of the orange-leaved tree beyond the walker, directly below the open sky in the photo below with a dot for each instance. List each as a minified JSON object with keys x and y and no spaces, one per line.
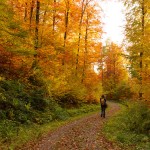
{"x":113,"y":72}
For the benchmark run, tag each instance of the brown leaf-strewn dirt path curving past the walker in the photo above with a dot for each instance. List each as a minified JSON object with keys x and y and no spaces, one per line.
{"x":83,"y":134}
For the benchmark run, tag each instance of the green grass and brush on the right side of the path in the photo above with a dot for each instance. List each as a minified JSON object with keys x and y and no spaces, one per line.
{"x":131,"y":126}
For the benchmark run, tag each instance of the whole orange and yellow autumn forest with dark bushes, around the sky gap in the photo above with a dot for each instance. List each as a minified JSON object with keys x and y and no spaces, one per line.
{"x":52,"y":59}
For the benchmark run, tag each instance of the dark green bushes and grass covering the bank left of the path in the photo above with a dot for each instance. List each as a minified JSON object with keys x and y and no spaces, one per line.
{"x":26,"y":113}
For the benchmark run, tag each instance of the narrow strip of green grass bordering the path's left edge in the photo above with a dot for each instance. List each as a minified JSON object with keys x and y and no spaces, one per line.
{"x":33,"y":132}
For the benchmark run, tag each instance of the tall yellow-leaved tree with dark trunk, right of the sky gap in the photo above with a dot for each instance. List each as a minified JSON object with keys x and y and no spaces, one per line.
{"x":136,"y":35}
